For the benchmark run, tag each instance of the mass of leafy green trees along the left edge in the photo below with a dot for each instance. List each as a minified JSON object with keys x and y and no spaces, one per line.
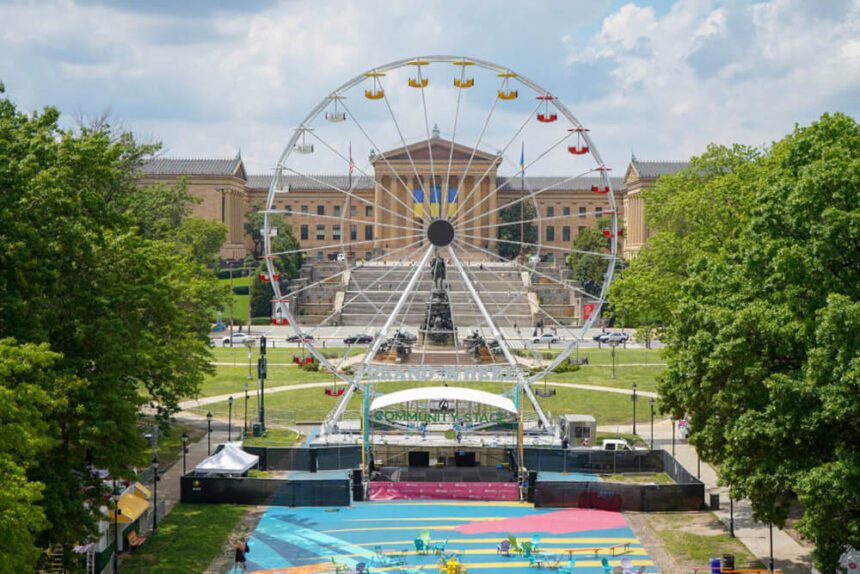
{"x":105,"y":301}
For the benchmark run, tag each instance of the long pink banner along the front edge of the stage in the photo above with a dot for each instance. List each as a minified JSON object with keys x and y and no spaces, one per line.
{"x":444,"y":491}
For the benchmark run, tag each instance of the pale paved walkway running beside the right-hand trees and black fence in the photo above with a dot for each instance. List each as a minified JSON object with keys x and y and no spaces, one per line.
{"x":789,"y":555}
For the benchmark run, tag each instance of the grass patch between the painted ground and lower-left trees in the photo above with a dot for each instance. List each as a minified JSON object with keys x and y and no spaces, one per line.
{"x":188,"y":539}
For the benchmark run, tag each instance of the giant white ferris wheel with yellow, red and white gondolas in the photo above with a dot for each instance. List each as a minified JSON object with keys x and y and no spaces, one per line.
{"x":436,"y":200}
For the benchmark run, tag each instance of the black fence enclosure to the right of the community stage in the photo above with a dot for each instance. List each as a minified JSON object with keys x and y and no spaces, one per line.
{"x":688,"y":493}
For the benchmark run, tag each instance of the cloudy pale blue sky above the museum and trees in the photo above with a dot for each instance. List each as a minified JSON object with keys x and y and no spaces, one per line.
{"x":660,"y":79}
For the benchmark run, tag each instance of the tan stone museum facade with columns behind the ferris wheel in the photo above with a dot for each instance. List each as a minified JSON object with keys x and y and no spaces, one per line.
{"x":378,"y":216}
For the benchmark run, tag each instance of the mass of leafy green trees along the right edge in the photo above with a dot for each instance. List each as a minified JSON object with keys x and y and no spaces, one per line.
{"x":754,"y":269}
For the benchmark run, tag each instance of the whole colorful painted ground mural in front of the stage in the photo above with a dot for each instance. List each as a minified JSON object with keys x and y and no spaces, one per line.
{"x":417,"y":537}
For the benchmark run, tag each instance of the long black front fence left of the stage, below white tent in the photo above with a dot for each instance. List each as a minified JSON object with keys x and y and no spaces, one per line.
{"x":265,"y":491}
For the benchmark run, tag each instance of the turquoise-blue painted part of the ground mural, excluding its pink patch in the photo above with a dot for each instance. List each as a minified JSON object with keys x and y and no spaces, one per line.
{"x":304,"y":537}
